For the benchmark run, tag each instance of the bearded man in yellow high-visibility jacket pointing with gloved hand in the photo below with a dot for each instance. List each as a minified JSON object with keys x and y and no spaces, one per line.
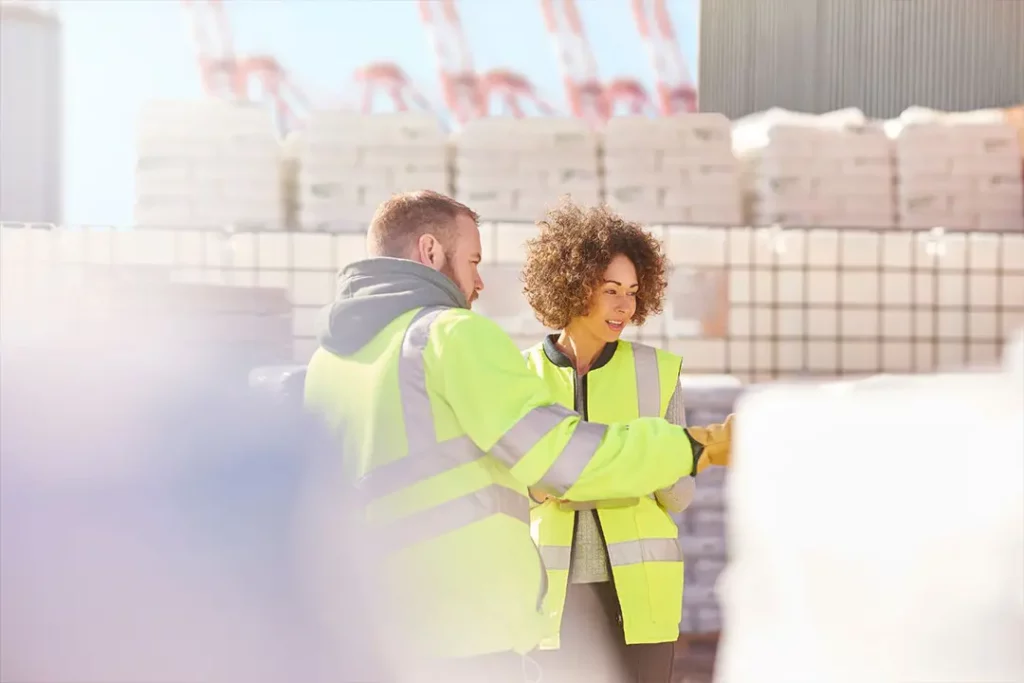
{"x":445,"y":429}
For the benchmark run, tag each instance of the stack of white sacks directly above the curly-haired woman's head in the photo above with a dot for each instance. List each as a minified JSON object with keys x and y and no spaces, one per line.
{"x":673,"y":170}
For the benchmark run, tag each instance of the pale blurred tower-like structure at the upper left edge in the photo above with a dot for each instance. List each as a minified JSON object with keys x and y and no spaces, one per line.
{"x":31,"y":114}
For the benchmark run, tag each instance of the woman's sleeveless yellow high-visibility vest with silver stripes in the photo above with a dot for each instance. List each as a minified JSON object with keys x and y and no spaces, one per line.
{"x":628,"y":381}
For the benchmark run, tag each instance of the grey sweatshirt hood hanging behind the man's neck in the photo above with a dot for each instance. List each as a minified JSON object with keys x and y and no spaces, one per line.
{"x":374,"y":292}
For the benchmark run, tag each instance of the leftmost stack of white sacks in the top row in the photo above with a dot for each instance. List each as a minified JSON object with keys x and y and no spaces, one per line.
{"x":208,"y":164}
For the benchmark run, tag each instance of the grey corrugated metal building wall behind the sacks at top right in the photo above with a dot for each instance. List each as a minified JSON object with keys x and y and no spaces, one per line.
{"x":879,"y":56}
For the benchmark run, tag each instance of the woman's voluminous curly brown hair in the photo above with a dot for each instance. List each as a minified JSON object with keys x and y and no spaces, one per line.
{"x":567,"y":263}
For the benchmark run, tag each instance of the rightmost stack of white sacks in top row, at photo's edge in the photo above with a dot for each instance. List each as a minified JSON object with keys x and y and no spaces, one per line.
{"x":959,"y":172}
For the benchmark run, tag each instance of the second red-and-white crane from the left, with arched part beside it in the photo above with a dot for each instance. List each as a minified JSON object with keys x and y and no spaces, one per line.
{"x":468,"y":95}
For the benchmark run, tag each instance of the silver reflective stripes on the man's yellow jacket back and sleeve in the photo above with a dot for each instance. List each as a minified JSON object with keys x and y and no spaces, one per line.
{"x":433,"y":458}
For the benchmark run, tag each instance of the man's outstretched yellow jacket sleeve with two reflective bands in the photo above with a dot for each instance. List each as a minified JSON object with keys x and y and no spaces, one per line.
{"x":508,"y":411}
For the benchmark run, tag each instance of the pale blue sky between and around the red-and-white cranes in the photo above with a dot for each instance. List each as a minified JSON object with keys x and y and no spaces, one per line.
{"x":120,"y":54}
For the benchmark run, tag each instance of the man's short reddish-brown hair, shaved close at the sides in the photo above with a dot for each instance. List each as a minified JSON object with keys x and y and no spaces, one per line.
{"x":401,"y":221}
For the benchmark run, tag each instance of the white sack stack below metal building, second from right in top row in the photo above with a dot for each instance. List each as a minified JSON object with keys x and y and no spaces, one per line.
{"x":833,"y":170}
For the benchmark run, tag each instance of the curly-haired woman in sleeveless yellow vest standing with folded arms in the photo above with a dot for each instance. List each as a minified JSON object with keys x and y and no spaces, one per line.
{"x":615,"y":568}
